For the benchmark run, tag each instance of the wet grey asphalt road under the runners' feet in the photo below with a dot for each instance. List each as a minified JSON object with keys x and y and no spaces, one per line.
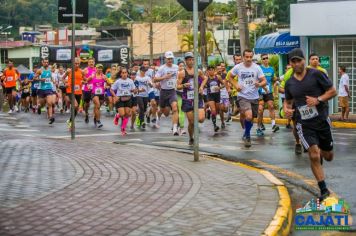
{"x":274,"y":151}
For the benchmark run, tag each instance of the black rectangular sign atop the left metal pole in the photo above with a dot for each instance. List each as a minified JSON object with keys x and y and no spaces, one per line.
{"x":65,"y":11}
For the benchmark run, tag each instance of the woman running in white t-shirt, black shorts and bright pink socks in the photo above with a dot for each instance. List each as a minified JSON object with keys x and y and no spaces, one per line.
{"x":124,"y":88}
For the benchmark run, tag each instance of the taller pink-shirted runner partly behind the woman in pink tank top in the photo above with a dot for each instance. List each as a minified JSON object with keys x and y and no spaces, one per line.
{"x":87,"y":87}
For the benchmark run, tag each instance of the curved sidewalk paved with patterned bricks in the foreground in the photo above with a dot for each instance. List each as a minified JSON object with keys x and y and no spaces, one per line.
{"x":58,"y":187}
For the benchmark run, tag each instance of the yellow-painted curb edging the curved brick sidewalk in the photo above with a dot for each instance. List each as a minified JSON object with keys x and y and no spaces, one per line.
{"x":282,"y":220}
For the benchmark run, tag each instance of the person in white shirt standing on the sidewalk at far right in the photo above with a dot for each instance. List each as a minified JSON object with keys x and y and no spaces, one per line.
{"x":344,"y":94}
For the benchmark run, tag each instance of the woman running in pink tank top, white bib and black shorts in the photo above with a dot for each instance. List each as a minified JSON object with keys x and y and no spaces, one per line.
{"x":98,"y":80}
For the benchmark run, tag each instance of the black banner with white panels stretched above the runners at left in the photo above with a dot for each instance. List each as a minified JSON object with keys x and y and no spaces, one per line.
{"x":102,"y":54}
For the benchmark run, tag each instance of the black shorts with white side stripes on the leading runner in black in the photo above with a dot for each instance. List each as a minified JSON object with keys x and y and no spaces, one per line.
{"x":318,"y":134}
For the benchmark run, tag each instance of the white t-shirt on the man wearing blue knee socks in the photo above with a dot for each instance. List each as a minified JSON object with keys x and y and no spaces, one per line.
{"x":248,"y":76}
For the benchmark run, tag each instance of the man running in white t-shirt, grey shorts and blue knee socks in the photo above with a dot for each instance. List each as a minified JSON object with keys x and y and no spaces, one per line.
{"x":251,"y":78}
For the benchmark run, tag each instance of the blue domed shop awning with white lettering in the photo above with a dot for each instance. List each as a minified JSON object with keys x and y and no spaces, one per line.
{"x":277,"y":43}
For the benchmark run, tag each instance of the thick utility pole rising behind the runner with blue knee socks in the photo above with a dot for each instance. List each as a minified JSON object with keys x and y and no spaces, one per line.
{"x":243,"y":24}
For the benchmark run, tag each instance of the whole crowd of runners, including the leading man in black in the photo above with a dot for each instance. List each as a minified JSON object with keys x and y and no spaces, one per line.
{"x":142,"y":94}
